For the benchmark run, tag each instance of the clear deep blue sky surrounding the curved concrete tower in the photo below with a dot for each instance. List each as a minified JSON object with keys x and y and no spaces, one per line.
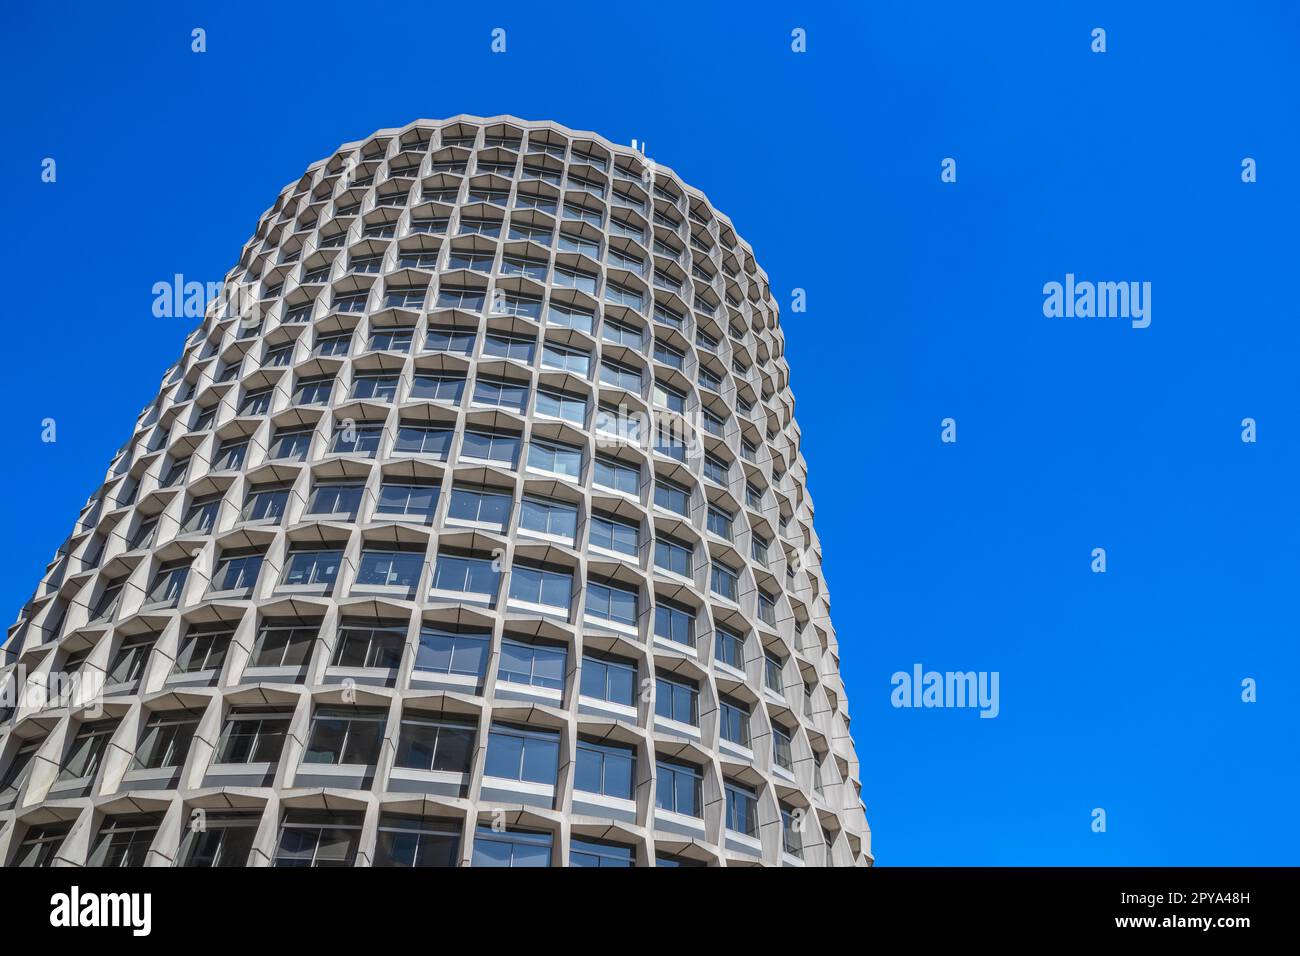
{"x":1120,"y":691}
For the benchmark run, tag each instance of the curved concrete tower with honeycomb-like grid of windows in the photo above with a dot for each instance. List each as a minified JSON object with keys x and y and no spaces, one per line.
{"x":470,"y":529}
